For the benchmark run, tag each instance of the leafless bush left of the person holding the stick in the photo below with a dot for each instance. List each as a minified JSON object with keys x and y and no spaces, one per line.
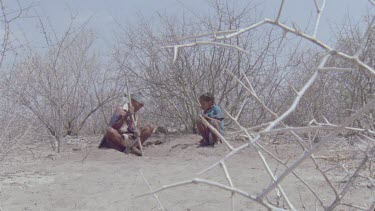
{"x":67,"y":84}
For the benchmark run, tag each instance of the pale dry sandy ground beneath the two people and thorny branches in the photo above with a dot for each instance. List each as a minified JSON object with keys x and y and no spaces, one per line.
{"x":83,"y":177}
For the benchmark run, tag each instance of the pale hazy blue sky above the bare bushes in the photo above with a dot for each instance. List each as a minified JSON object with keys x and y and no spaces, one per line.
{"x":104,"y":15}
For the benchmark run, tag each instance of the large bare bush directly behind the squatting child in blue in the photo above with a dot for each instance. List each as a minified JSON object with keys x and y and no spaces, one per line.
{"x":174,"y":87}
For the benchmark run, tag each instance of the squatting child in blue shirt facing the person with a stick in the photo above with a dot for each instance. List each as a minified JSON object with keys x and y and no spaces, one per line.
{"x":212,"y":113}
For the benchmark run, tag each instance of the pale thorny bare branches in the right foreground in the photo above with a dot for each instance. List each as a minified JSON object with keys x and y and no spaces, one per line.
{"x":361,"y":156}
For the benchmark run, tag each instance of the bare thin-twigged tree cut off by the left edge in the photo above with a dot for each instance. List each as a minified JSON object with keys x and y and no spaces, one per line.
{"x":13,"y":126}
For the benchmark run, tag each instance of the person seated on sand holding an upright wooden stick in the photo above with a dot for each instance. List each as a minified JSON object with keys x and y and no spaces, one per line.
{"x":122,"y":130}
